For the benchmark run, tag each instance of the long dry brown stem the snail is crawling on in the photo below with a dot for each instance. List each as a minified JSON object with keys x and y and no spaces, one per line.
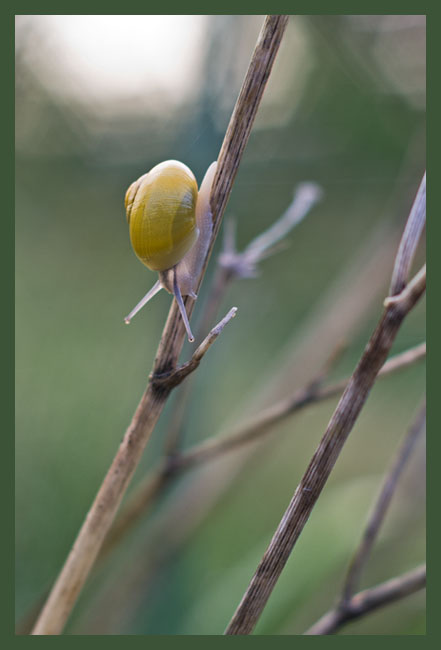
{"x":102,"y":512}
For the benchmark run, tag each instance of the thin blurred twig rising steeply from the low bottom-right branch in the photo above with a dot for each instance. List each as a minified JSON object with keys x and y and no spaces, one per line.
{"x":380,"y":508}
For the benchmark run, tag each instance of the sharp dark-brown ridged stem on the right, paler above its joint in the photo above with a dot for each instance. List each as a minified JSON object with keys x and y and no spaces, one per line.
{"x":345,"y":415}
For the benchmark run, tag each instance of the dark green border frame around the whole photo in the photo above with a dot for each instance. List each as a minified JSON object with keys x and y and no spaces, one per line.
{"x":7,"y":275}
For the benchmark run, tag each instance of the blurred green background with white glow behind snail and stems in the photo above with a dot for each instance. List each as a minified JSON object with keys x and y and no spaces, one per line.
{"x":99,"y":101}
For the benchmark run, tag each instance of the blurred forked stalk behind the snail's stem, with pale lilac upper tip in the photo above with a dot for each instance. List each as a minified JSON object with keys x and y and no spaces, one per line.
{"x":233,"y":265}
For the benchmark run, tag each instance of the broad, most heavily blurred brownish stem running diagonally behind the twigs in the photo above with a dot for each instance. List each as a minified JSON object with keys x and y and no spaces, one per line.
{"x":358,"y":289}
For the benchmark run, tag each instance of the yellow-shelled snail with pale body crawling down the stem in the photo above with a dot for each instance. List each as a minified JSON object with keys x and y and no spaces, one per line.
{"x":170,"y":226}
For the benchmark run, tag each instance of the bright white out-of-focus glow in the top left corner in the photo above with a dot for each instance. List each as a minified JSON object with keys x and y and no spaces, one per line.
{"x":118,"y":57}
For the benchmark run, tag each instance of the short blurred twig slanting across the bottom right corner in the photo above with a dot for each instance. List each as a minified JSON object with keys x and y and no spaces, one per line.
{"x":370,"y":599}
